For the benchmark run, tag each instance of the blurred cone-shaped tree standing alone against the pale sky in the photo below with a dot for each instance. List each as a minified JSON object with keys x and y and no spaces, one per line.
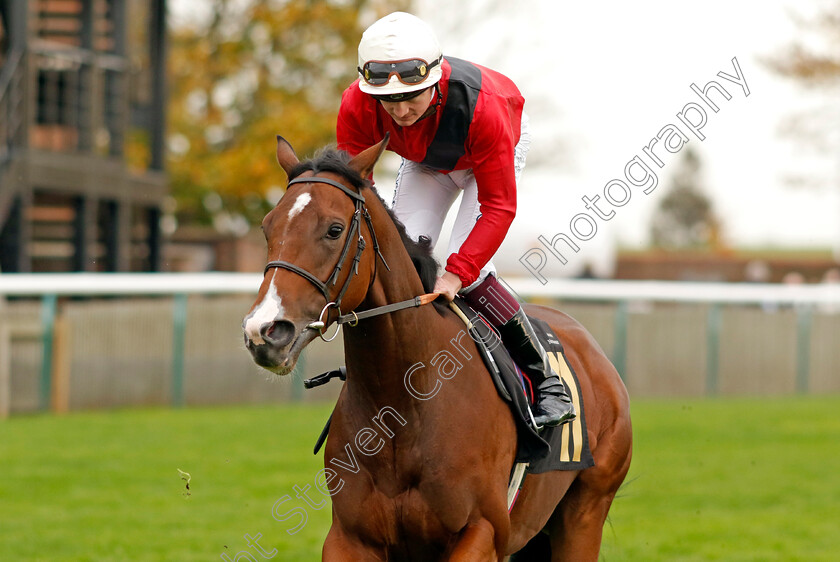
{"x":684,"y":217}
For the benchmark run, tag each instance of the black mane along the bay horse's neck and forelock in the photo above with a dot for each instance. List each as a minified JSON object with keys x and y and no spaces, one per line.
{"x":337,"y":162}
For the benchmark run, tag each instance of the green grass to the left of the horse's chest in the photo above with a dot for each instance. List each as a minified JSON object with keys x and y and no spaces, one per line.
{"x":105,"y":486}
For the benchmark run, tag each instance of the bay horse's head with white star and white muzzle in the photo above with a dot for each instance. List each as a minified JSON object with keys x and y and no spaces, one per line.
{"x":316,"y":236}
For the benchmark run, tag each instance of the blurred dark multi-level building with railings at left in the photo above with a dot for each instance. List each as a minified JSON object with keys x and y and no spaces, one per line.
{"x":82,"y":98}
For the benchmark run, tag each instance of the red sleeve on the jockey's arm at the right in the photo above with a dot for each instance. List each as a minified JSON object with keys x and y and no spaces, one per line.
{"x":492,"y":139}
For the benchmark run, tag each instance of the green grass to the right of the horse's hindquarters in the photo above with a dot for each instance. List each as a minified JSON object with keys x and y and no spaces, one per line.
{"x":733,"y":480}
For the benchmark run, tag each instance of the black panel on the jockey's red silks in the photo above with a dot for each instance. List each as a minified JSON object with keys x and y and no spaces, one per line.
{"x":448,"y":145}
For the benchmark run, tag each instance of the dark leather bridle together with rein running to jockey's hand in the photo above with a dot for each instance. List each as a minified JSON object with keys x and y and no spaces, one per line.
{"x":353,"y":318}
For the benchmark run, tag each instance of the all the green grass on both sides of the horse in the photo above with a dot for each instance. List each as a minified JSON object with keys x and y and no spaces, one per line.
{"x":732,"y":480}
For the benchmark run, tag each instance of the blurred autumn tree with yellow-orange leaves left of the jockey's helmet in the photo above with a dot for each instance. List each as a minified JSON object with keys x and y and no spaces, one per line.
{"x":247,"y":71}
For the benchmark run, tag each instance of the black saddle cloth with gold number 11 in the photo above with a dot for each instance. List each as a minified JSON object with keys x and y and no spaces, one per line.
{"x":565,"y":447}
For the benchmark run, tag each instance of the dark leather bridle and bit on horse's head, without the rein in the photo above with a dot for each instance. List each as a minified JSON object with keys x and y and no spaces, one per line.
{"x":324,"y":286}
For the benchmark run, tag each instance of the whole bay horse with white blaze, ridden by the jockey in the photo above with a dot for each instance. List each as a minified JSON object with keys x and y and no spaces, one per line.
{"x":420,"y":445}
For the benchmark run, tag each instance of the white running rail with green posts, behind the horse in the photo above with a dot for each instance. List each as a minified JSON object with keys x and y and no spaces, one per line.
{"x":807,"y":300}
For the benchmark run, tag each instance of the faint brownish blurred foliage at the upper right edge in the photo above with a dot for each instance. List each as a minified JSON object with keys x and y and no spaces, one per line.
{"x":814,"y":62}
